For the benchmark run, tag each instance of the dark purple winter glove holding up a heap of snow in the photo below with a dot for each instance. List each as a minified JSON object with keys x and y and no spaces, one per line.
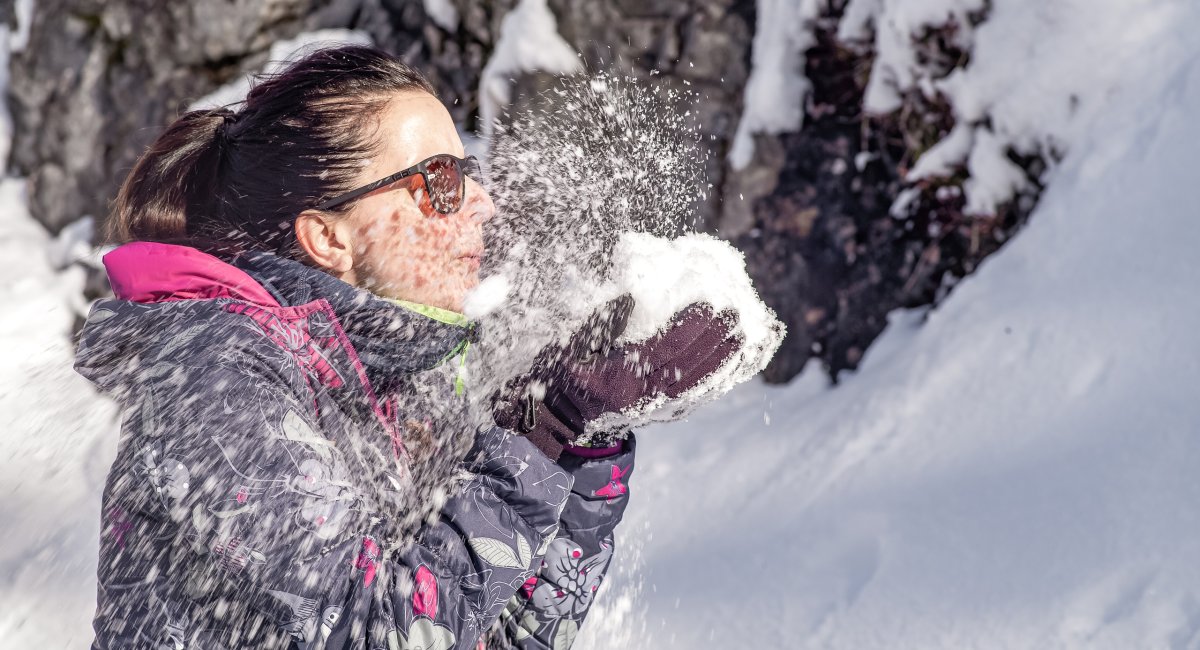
{"x":574,"y":386}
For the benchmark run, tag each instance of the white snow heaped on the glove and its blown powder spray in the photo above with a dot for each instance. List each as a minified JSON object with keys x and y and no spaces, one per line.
{"x":596,"y":198}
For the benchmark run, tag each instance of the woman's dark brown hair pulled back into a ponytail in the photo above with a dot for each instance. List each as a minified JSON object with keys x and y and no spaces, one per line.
{"x":242,"y":177}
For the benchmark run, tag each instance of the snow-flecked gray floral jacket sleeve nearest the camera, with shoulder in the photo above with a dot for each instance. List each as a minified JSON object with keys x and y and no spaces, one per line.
{"x":232,"y":522}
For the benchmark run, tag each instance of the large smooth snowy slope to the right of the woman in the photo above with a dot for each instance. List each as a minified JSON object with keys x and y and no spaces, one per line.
{"x":1022,"y":471}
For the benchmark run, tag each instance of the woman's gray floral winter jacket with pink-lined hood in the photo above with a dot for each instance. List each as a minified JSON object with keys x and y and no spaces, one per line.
{"x":267,"y":491}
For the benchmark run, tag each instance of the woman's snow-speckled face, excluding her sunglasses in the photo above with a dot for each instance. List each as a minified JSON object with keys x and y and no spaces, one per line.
{"x":403,"y":249}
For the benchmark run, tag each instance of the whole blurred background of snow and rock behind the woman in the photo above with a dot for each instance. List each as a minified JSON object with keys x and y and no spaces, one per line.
{"x":974,"y":215}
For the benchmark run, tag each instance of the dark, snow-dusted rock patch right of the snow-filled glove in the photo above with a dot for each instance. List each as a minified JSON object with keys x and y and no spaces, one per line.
{"x":824,"y":248}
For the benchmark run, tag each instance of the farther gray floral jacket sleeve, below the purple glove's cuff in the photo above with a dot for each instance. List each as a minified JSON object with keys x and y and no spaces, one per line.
{"x":551,"y":607}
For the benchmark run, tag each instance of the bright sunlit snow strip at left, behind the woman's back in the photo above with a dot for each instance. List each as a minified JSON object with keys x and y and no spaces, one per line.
{"x":56,"y":447}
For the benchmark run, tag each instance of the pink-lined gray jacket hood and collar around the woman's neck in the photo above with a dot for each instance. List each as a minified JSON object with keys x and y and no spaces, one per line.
{"x":159,"y":285}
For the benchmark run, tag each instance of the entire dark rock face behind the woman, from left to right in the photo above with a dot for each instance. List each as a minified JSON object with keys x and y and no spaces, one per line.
{"x":101,"y":79}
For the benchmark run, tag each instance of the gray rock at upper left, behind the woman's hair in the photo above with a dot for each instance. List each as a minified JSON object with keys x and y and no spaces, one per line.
{"x":101,"y":79}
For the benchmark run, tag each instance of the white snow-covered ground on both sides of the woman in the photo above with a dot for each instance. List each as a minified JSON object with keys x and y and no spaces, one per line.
{"x":1017,"y":470}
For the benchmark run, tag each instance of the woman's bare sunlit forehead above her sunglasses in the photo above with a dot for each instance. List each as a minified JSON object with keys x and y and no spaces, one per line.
{"x":415,"y":127}
